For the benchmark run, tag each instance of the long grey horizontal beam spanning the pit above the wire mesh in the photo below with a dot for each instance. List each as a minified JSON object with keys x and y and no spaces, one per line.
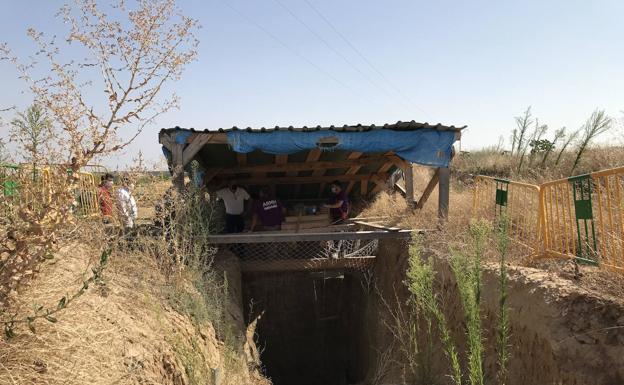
{"x":305,"y":237}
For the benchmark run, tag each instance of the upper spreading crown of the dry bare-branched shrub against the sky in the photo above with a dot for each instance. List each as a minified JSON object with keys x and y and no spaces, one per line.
{"x":135,"y":51}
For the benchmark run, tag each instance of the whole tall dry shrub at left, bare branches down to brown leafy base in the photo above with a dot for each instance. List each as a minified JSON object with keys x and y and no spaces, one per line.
{"x":98,"y":104}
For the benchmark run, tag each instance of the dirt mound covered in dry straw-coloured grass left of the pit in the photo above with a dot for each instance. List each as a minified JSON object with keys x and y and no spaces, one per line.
{"x":123,"y":332}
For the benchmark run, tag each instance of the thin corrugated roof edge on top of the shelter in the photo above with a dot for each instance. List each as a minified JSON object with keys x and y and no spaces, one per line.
{"x":398,"y":126}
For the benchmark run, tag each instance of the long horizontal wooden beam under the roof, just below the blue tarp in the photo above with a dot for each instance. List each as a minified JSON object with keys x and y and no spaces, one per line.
{"x":282,"y":166}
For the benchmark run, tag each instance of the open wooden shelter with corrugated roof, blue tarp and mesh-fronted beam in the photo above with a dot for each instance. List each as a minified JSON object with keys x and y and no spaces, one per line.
{"x":300,"y":163}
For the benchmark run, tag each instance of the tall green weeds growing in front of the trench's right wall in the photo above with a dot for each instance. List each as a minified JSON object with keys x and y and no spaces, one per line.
{"x":429,"y":310}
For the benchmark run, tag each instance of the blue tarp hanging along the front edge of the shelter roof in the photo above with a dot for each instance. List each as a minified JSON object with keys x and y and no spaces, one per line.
{"x":429,"y":147}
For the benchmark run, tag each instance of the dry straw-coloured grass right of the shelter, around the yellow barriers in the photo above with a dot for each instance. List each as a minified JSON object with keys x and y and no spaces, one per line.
{"x":391,"y":208}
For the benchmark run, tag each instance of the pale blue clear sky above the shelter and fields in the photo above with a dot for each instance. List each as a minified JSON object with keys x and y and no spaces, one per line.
{"x":310,"y":62}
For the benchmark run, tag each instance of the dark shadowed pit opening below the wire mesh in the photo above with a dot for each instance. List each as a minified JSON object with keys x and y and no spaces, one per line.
{"x":312,"y":326}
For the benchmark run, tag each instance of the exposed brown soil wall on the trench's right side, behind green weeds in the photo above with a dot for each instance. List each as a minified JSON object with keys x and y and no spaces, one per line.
{"x":560,"y":333}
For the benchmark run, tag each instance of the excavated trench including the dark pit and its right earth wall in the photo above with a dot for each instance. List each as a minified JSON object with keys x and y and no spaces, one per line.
{"x":332,"y":327}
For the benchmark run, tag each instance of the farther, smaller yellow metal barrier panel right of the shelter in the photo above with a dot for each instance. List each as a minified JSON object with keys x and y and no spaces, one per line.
{"x":518,"y":202}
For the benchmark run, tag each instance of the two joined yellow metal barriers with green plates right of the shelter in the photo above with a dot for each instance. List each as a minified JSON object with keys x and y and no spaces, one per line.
{"x":581,"y":217}
